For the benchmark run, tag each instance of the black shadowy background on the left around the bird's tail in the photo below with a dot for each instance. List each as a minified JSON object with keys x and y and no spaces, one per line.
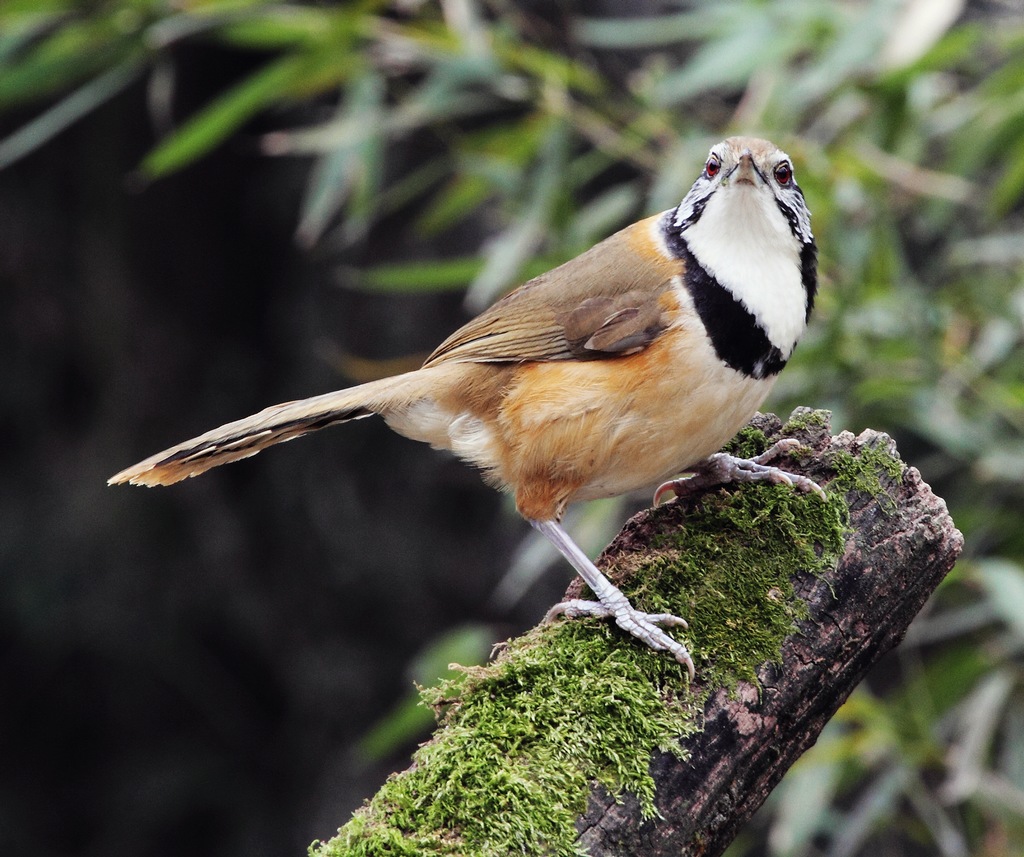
{"x":184,"y":669}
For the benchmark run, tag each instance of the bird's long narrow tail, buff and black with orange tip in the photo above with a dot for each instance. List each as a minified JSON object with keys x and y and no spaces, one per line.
{"x":246,"y":438}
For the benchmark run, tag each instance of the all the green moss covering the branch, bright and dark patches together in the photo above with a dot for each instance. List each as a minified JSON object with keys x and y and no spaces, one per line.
{"x":568,"y":705}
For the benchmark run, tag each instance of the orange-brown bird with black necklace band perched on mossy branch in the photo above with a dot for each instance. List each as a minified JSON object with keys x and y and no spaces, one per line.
{"x":623,"y":369}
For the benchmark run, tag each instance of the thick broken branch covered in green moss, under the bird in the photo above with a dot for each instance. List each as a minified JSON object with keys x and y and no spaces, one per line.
{"x":578,"y":741}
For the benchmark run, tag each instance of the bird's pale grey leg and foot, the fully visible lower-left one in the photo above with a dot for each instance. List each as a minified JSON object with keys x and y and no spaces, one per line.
{"x":612,"y":604}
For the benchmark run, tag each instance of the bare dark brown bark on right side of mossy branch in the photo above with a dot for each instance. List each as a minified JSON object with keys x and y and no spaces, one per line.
{"x":897,"y":554}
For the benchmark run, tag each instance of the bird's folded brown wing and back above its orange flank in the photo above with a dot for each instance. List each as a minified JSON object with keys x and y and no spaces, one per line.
{"x":606,"y":303}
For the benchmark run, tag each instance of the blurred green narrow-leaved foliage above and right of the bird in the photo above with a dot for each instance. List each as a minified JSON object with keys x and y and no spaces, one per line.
{"x":906,"y":125}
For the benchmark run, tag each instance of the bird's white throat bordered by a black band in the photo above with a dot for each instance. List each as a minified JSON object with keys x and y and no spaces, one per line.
{"x":745,"y":242}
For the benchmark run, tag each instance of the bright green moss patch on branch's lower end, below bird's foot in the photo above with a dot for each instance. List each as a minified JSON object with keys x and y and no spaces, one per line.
{"x":523,"y":741}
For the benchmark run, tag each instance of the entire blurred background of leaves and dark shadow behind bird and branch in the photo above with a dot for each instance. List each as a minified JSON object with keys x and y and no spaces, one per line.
{"x":210,"y":206}
